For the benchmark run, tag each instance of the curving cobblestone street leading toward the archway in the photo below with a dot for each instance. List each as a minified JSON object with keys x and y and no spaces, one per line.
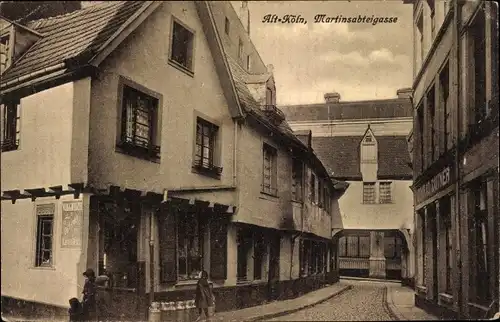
{"x":364,"y":302}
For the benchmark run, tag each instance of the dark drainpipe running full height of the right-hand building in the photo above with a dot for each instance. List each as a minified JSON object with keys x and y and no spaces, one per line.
{"x":456,"y":28}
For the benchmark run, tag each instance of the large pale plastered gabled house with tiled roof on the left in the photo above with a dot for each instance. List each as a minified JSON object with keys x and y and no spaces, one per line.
{"x":136,"y":143}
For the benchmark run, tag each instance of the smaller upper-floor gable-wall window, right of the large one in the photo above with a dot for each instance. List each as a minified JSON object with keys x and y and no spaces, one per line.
{"x":206,"y":140}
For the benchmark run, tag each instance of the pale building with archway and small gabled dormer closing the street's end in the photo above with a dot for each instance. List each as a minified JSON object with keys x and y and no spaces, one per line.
{"x":364,"y":143}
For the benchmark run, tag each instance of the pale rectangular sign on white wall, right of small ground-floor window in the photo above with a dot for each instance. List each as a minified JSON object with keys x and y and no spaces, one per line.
{"x":72,"y":224}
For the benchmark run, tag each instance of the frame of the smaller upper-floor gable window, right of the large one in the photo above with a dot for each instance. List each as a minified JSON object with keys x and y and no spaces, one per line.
{"x":214,"y":168}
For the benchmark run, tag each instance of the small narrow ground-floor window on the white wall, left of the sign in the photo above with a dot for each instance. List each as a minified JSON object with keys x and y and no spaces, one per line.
{"x":44,"y":235}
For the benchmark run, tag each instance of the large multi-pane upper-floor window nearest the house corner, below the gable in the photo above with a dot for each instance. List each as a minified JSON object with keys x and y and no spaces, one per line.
{"x":139,"y":122}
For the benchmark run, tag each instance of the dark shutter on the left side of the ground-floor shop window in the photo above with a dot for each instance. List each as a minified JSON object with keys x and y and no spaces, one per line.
{"x":168,"y":247}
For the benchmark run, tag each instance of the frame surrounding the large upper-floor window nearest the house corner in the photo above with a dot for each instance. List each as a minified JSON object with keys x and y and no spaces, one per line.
{"x":153,"y":151}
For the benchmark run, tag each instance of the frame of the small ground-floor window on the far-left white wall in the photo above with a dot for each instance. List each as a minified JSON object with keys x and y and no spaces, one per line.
{"x":44,"y":211}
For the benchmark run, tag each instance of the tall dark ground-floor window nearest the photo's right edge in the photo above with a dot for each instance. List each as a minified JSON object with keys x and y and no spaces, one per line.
{"x":479,"y":232}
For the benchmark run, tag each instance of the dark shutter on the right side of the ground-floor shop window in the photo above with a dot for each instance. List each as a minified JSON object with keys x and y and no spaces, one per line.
{"x":218,"y":248}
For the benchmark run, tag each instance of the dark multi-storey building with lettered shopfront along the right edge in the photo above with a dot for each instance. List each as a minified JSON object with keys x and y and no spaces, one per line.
{"x":455,"y":157}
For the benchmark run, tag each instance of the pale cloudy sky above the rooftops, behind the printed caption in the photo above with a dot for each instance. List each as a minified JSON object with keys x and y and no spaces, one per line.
{"x":359,"y":61}
